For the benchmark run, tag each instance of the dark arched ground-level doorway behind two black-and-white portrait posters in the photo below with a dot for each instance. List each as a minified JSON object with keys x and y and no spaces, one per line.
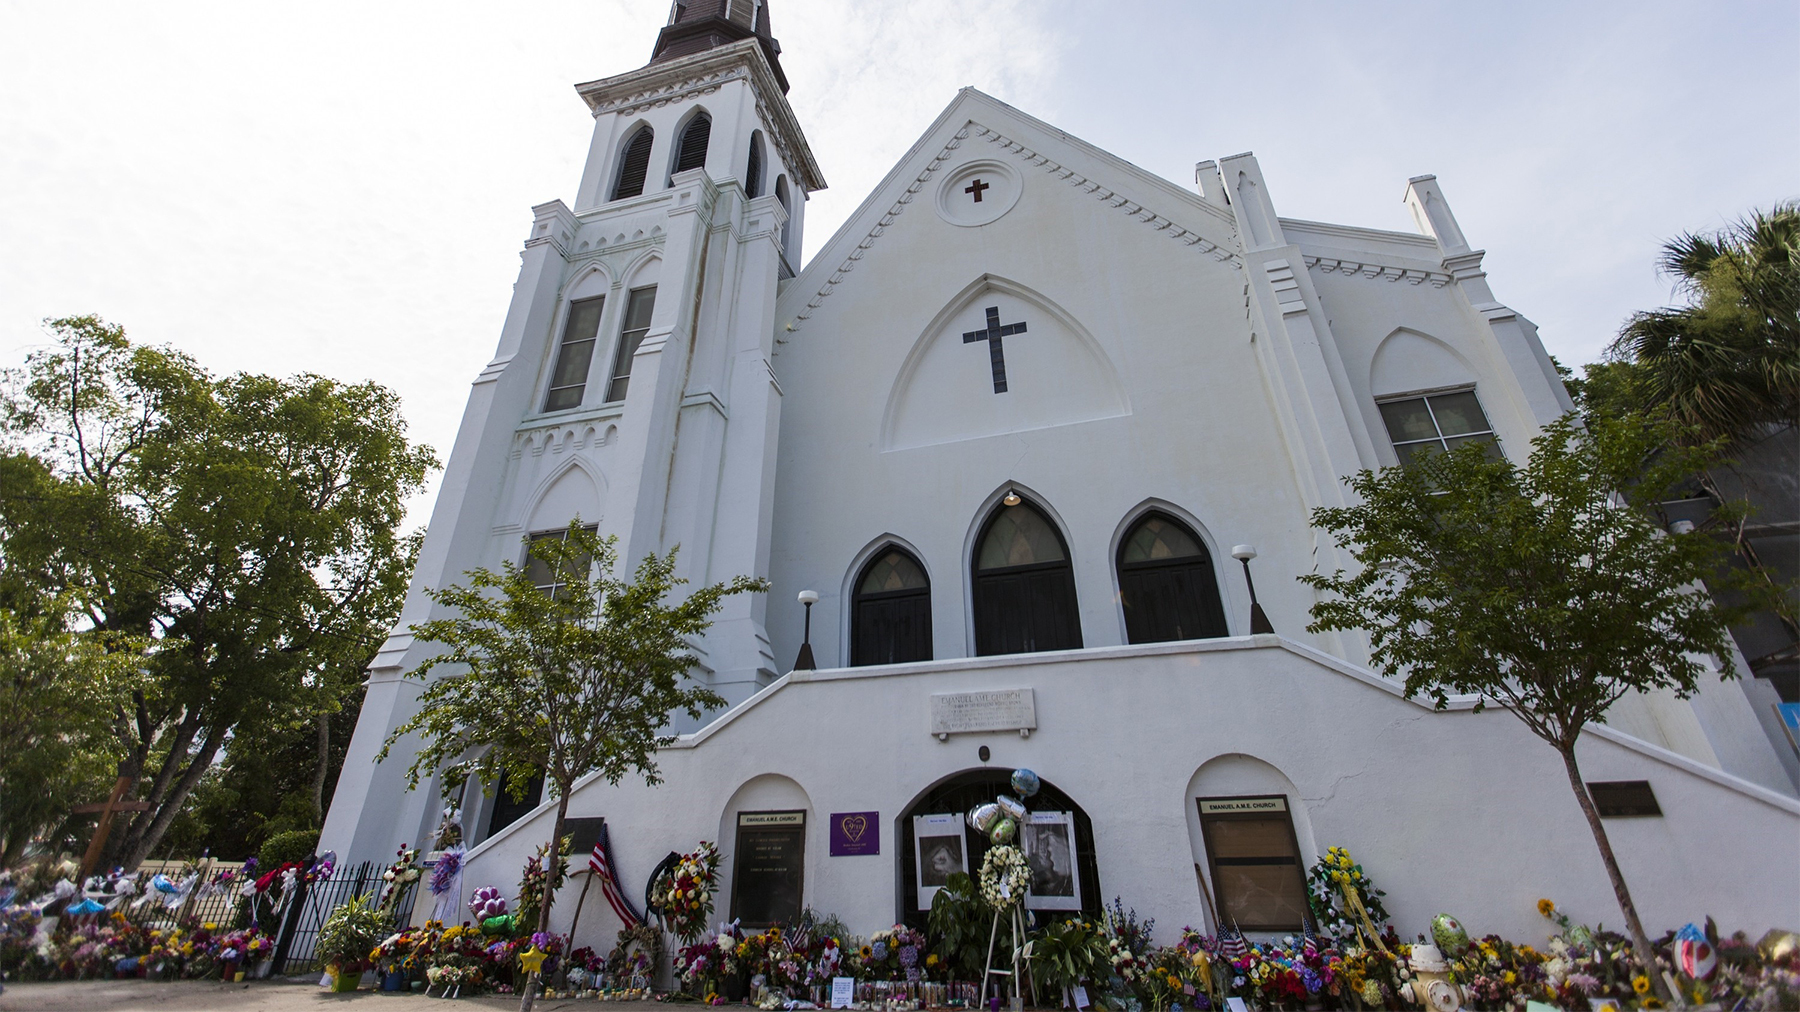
{"x":960,"y":793}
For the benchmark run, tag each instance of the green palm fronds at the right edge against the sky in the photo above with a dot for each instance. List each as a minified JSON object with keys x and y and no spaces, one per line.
{"x":1725,"y":366}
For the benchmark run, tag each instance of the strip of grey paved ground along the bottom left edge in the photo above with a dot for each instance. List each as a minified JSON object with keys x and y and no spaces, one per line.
{"x":260,"y":997}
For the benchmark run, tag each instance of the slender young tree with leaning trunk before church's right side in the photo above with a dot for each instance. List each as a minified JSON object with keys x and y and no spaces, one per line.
{"x":1545,"y":590}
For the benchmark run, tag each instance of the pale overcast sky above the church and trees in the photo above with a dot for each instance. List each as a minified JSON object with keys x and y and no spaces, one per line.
{"x":345,"y":188}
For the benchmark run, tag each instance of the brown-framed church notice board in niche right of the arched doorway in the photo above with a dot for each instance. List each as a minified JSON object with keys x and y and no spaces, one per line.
{"x":1255,"y":863}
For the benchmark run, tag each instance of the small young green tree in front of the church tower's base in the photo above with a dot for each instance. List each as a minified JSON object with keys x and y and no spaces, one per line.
{"x":561,"y":685}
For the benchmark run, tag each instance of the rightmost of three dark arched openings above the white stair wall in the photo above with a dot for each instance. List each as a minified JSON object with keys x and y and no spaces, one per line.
{"x":1167,"y":584}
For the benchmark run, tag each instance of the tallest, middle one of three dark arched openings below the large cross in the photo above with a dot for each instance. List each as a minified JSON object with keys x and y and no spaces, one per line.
{"x":1023,"y":586}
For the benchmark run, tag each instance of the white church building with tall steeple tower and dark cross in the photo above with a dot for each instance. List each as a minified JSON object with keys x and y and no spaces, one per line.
{"x":1012,"y":429}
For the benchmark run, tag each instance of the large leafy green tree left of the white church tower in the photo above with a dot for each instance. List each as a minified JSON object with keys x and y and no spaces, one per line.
{"x":247,"y":525}
